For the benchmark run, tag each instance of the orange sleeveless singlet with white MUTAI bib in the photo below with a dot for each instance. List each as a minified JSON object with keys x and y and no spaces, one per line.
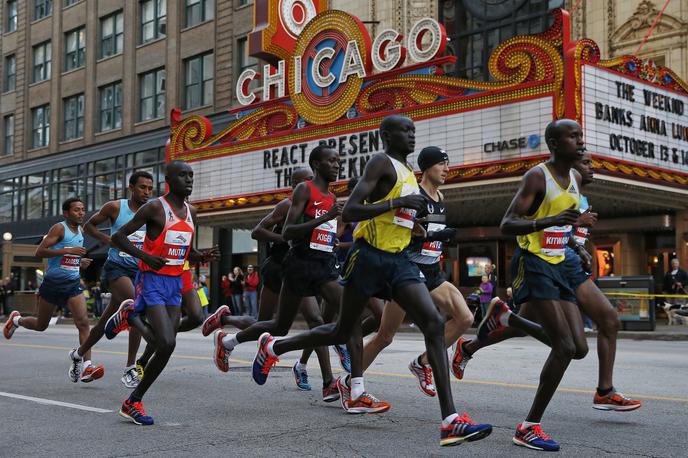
{"x":173,"y":242}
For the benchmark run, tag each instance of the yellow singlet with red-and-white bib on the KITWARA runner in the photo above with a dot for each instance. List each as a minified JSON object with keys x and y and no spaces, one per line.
{"x":549,"y":244}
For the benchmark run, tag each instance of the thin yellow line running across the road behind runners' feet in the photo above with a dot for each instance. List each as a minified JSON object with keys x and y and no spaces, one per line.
{"x":383,"y":374}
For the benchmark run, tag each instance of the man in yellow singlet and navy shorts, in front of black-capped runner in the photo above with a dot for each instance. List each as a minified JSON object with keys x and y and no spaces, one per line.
{"x":385,"y":201}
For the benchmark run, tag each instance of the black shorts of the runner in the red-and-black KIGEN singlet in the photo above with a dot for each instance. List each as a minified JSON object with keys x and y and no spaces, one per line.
{"x":304,"y":276}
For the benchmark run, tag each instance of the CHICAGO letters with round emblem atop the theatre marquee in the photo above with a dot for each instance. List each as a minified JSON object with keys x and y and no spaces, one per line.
{"x":331,"y":57}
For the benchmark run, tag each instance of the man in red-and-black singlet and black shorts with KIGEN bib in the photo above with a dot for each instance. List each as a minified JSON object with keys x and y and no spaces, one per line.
{"x":309,"y":267}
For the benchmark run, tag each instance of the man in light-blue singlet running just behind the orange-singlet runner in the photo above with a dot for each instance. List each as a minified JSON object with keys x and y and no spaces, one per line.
{"x":120,"y":269}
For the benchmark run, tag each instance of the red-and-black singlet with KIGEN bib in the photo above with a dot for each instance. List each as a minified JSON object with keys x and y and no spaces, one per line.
{"x":321,"y":239}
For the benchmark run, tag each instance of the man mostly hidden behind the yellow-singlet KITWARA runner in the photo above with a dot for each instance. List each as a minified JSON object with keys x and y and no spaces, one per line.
{"x":591,"y":301}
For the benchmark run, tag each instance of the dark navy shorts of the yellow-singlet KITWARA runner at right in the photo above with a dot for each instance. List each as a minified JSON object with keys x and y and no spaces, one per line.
{"x":535,"y":278}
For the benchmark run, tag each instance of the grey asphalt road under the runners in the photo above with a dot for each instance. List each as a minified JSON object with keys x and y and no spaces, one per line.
{"x":200,"y":411}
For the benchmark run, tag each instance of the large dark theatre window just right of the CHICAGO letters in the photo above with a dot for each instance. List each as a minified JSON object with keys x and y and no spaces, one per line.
{"x":476,"y":27}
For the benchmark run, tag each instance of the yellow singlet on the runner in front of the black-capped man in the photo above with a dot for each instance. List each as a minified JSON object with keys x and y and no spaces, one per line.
{"x":391,"y":231}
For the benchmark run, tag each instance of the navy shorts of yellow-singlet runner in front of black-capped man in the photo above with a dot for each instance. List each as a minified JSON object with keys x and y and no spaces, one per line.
{"x":377,"y":273}
